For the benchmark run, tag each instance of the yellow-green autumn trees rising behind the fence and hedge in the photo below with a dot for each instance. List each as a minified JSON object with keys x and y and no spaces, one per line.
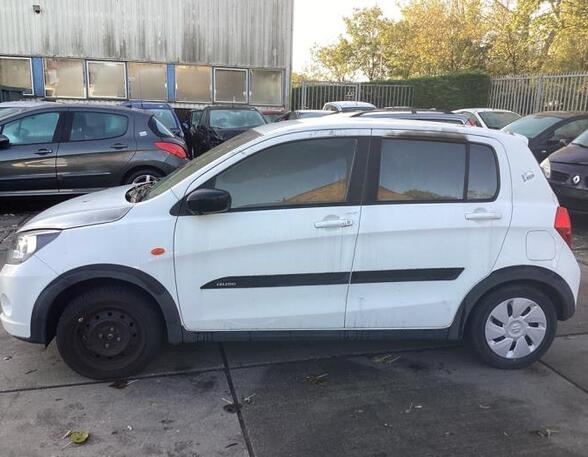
{"x":435,"y":37}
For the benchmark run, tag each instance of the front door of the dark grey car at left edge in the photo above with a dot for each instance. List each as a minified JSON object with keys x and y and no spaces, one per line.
{"x":28,"y":162}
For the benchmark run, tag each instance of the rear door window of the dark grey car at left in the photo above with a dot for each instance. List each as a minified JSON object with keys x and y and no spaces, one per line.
{"x":88,"y":125}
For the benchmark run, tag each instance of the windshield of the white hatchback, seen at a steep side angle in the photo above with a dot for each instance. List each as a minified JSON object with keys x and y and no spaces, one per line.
{"x":200,"y":162}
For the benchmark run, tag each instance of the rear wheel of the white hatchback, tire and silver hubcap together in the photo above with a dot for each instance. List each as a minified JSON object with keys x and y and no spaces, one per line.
{"x":512,"y":327}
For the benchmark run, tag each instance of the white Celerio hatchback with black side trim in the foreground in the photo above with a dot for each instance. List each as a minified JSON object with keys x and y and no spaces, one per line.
{"x":351,"y":228}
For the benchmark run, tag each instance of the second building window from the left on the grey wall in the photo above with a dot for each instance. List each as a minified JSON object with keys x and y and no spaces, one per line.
{"x":64,"y":78}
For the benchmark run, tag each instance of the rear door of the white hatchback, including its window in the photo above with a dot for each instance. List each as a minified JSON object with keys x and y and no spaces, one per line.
{"x":428,"y":234}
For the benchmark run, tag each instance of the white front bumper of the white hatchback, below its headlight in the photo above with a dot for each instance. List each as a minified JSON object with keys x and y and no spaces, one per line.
{"x":20,"y":285}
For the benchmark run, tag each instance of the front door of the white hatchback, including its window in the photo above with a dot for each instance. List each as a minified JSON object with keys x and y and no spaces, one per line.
{"x":280,"y":258}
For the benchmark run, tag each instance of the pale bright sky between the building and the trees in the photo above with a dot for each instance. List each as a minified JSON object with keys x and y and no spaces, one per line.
{"x":321,"y":22}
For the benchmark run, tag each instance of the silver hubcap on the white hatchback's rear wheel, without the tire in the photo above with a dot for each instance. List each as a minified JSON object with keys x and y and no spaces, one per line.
{"x":515,"y":328}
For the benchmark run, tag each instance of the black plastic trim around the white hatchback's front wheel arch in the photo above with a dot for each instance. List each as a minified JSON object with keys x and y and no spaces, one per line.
{"x":52,"y":301}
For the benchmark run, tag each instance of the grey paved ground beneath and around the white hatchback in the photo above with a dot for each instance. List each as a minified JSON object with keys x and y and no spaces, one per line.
{"x":374,"y":399}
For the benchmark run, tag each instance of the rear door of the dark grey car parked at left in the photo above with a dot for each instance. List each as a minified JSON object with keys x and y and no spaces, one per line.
{"x":97,"y":147}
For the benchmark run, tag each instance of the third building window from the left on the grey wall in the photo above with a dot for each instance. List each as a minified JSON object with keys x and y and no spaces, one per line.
{"x":107,"y":79}
